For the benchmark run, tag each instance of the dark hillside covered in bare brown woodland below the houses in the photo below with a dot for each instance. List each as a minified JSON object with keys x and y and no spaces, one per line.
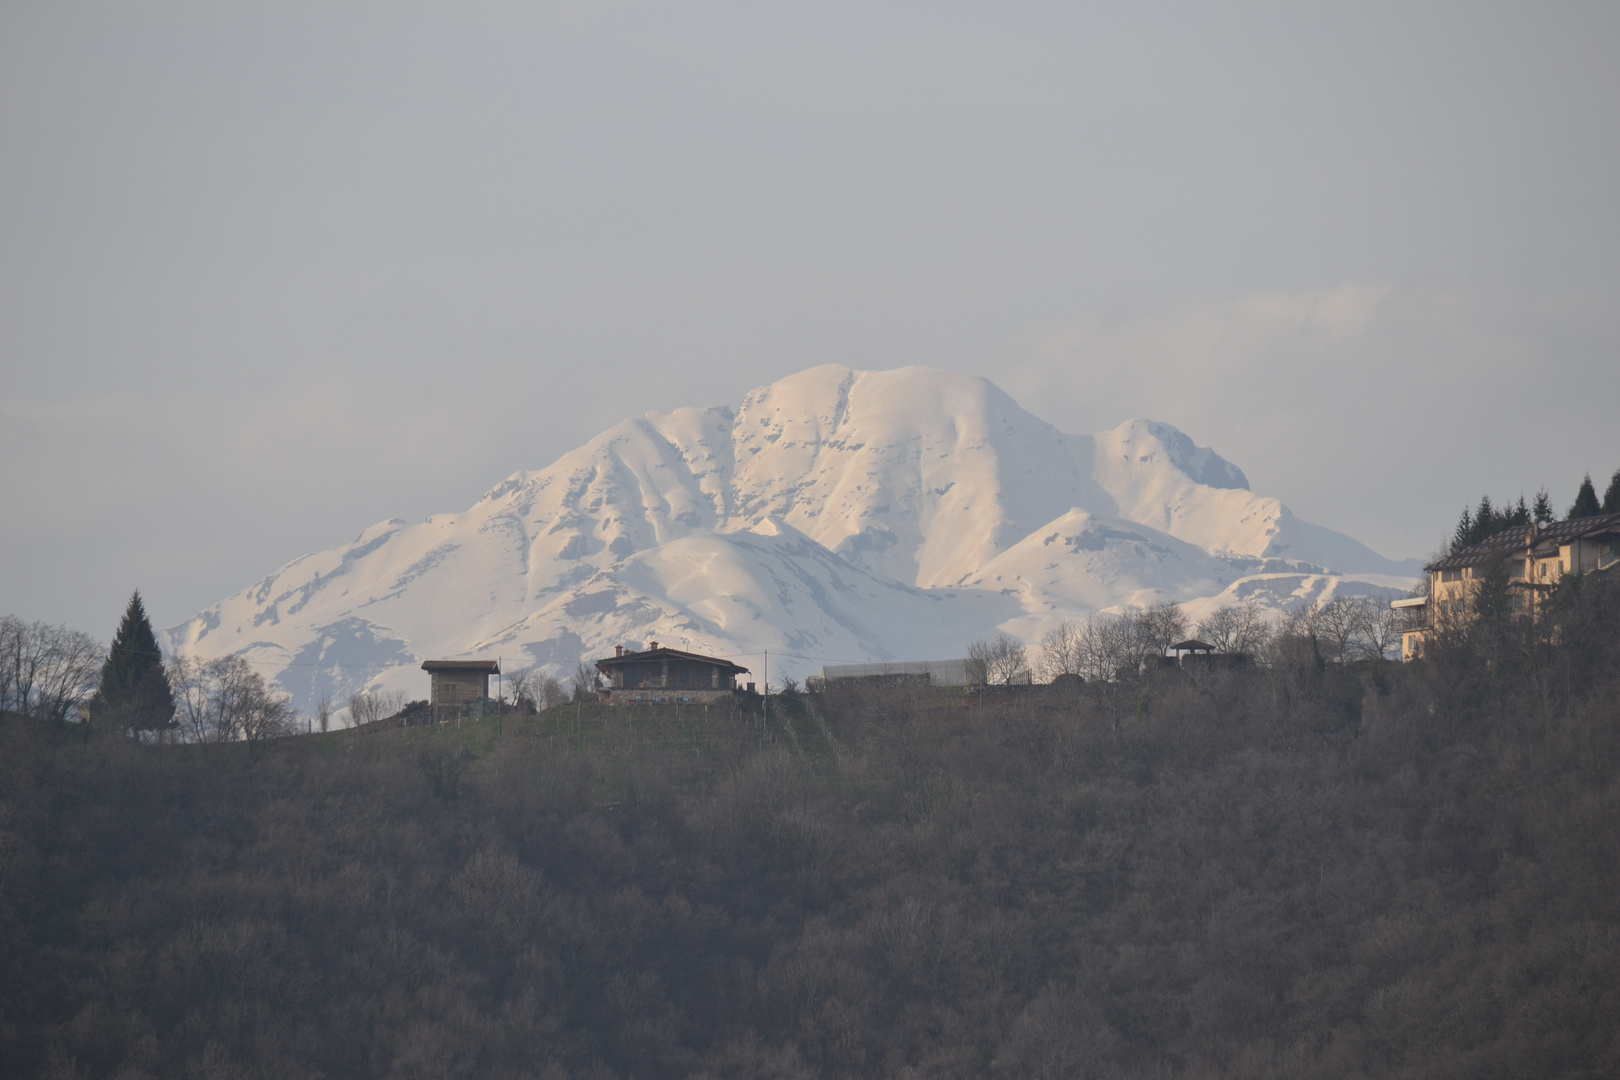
{"x":1287,"y":870}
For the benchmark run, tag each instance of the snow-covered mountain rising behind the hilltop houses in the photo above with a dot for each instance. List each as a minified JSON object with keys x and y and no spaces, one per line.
{"x":837,"y":516}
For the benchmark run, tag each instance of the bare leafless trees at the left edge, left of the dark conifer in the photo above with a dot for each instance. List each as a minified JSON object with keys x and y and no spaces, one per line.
{"x":48,"y":671}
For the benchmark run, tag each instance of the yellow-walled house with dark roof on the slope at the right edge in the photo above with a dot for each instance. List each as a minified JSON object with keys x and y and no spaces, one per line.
{"x":1535,"y":558}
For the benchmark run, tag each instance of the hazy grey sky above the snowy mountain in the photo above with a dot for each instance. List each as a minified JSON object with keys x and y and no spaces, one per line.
{"x":275,"y":273}
